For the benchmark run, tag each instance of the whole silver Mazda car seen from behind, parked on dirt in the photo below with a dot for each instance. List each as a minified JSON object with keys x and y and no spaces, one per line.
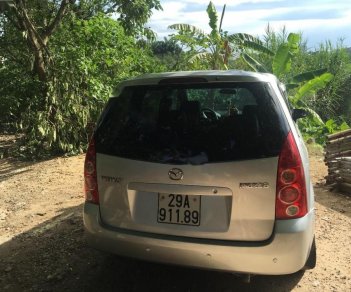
{"x":204,"y":169}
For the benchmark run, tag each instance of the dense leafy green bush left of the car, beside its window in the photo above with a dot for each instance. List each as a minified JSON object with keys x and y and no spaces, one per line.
{"x":91,"y":58}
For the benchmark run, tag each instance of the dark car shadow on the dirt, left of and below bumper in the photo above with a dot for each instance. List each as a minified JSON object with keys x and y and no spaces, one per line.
{"x":54,"y":256}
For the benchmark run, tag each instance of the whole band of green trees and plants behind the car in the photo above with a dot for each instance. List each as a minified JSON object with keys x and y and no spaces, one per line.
{"x":86,"y":54}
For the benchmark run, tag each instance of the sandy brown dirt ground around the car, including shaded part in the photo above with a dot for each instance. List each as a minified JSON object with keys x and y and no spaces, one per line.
{"x":42,"y":245}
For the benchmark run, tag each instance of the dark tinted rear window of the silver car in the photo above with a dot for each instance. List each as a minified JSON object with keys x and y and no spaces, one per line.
{"x":192,"y":123}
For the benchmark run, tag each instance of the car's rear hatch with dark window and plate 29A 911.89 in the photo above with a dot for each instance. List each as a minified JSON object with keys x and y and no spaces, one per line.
{"x":194,"y":160}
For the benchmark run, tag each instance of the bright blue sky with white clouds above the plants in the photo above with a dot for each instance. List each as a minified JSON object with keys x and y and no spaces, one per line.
{"x":318,"y":20}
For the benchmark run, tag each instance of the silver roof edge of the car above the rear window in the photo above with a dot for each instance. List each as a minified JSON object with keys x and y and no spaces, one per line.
{"x":209,"y":76}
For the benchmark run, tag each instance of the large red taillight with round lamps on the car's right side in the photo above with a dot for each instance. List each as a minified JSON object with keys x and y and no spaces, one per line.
{"x":291,"y":200}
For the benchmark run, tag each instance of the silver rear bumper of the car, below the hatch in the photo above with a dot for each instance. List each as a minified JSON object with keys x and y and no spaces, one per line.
{"x":286,"y":252}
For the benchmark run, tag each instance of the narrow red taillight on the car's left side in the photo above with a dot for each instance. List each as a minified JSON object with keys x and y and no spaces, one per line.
{"x":90,"y":177}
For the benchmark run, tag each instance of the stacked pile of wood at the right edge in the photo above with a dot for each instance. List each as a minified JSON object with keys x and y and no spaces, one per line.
{"x":338,"y":160}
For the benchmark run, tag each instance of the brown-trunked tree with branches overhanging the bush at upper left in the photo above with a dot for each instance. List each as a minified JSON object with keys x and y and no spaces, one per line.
{"x":39,"y":19}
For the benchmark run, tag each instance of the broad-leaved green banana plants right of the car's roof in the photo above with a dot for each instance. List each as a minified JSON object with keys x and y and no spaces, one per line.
{"x":312,"y":84}
